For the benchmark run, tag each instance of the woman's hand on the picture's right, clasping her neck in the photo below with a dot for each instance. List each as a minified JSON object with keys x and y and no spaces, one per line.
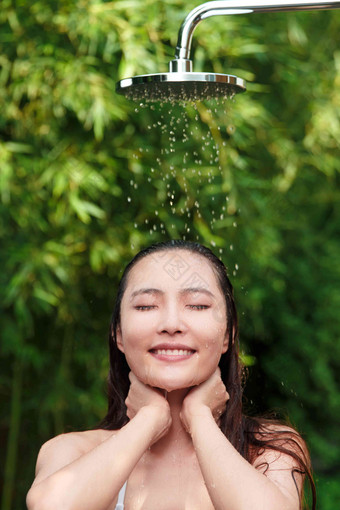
{"x":209,"y":396}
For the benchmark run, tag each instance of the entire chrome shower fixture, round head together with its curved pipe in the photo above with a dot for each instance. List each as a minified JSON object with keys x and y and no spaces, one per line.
{"x":180,"y":83}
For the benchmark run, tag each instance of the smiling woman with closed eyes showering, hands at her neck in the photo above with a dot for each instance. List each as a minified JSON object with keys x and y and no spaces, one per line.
{"x":174,"y":431}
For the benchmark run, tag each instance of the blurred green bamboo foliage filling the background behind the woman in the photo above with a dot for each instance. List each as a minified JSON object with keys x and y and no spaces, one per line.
{"x":86,"y":181}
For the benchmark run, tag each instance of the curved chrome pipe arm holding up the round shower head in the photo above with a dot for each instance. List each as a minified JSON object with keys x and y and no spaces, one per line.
{"x":182,"y":60}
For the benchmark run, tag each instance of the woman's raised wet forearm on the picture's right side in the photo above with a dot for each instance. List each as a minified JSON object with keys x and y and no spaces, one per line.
{"x":232,"y":483}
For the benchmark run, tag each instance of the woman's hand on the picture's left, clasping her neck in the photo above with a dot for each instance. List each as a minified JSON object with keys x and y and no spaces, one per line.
{"x":143,"y":396}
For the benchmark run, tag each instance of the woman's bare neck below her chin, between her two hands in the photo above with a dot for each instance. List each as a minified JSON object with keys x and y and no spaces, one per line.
{"x":177,"y":438}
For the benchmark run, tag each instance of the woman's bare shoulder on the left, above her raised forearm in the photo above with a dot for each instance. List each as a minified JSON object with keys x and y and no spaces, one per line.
{"x":61,"y":450}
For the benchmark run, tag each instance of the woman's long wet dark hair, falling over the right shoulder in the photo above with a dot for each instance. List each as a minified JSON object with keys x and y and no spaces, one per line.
{"x":249,"y":435}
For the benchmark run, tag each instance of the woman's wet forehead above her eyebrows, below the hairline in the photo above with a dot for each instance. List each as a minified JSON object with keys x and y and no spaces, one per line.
{"x":173,"y":269}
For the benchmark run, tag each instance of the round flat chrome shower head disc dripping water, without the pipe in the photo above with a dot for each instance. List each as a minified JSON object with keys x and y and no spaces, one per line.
{"x":180,"y":86}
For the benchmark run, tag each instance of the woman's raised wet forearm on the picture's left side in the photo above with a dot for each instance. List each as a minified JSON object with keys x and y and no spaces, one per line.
{"x":94,"y":479}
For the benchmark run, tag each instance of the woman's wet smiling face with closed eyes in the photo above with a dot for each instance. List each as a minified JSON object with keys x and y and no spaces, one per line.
{"x":173,"y":320}
